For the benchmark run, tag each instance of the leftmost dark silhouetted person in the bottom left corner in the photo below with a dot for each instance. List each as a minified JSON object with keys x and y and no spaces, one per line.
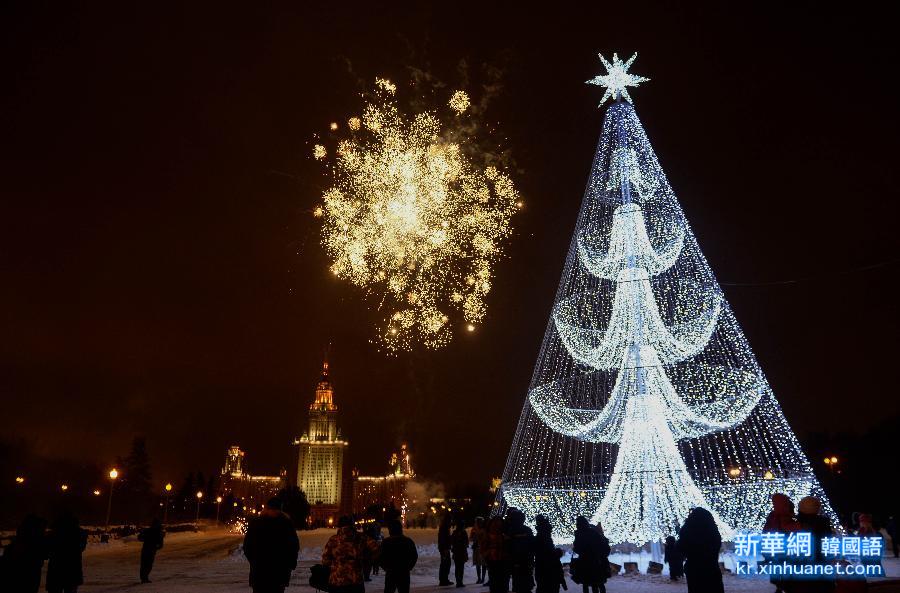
{"x":23,"y":559}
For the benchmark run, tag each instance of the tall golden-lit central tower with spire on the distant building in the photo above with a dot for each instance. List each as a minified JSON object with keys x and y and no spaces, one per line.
{"x":320,"y":462}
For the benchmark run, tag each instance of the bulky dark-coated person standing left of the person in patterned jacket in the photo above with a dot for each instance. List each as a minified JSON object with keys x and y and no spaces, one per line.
{"x":271,"y":546}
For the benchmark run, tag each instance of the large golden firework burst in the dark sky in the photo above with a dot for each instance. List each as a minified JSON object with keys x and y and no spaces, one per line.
{"x":413,"y":220}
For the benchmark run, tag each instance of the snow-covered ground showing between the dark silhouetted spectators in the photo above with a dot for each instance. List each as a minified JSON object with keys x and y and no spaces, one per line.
{"x":211,"y":561}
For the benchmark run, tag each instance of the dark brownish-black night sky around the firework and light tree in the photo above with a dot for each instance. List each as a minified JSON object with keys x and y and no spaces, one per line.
{"x":162,"y":274}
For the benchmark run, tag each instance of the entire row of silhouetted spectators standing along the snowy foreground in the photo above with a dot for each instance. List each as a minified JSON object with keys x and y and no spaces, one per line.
{"x":507,"y":555}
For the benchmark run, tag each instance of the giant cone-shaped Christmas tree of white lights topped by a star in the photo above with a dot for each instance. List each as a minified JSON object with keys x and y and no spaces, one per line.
{"x":646,"y":399}
